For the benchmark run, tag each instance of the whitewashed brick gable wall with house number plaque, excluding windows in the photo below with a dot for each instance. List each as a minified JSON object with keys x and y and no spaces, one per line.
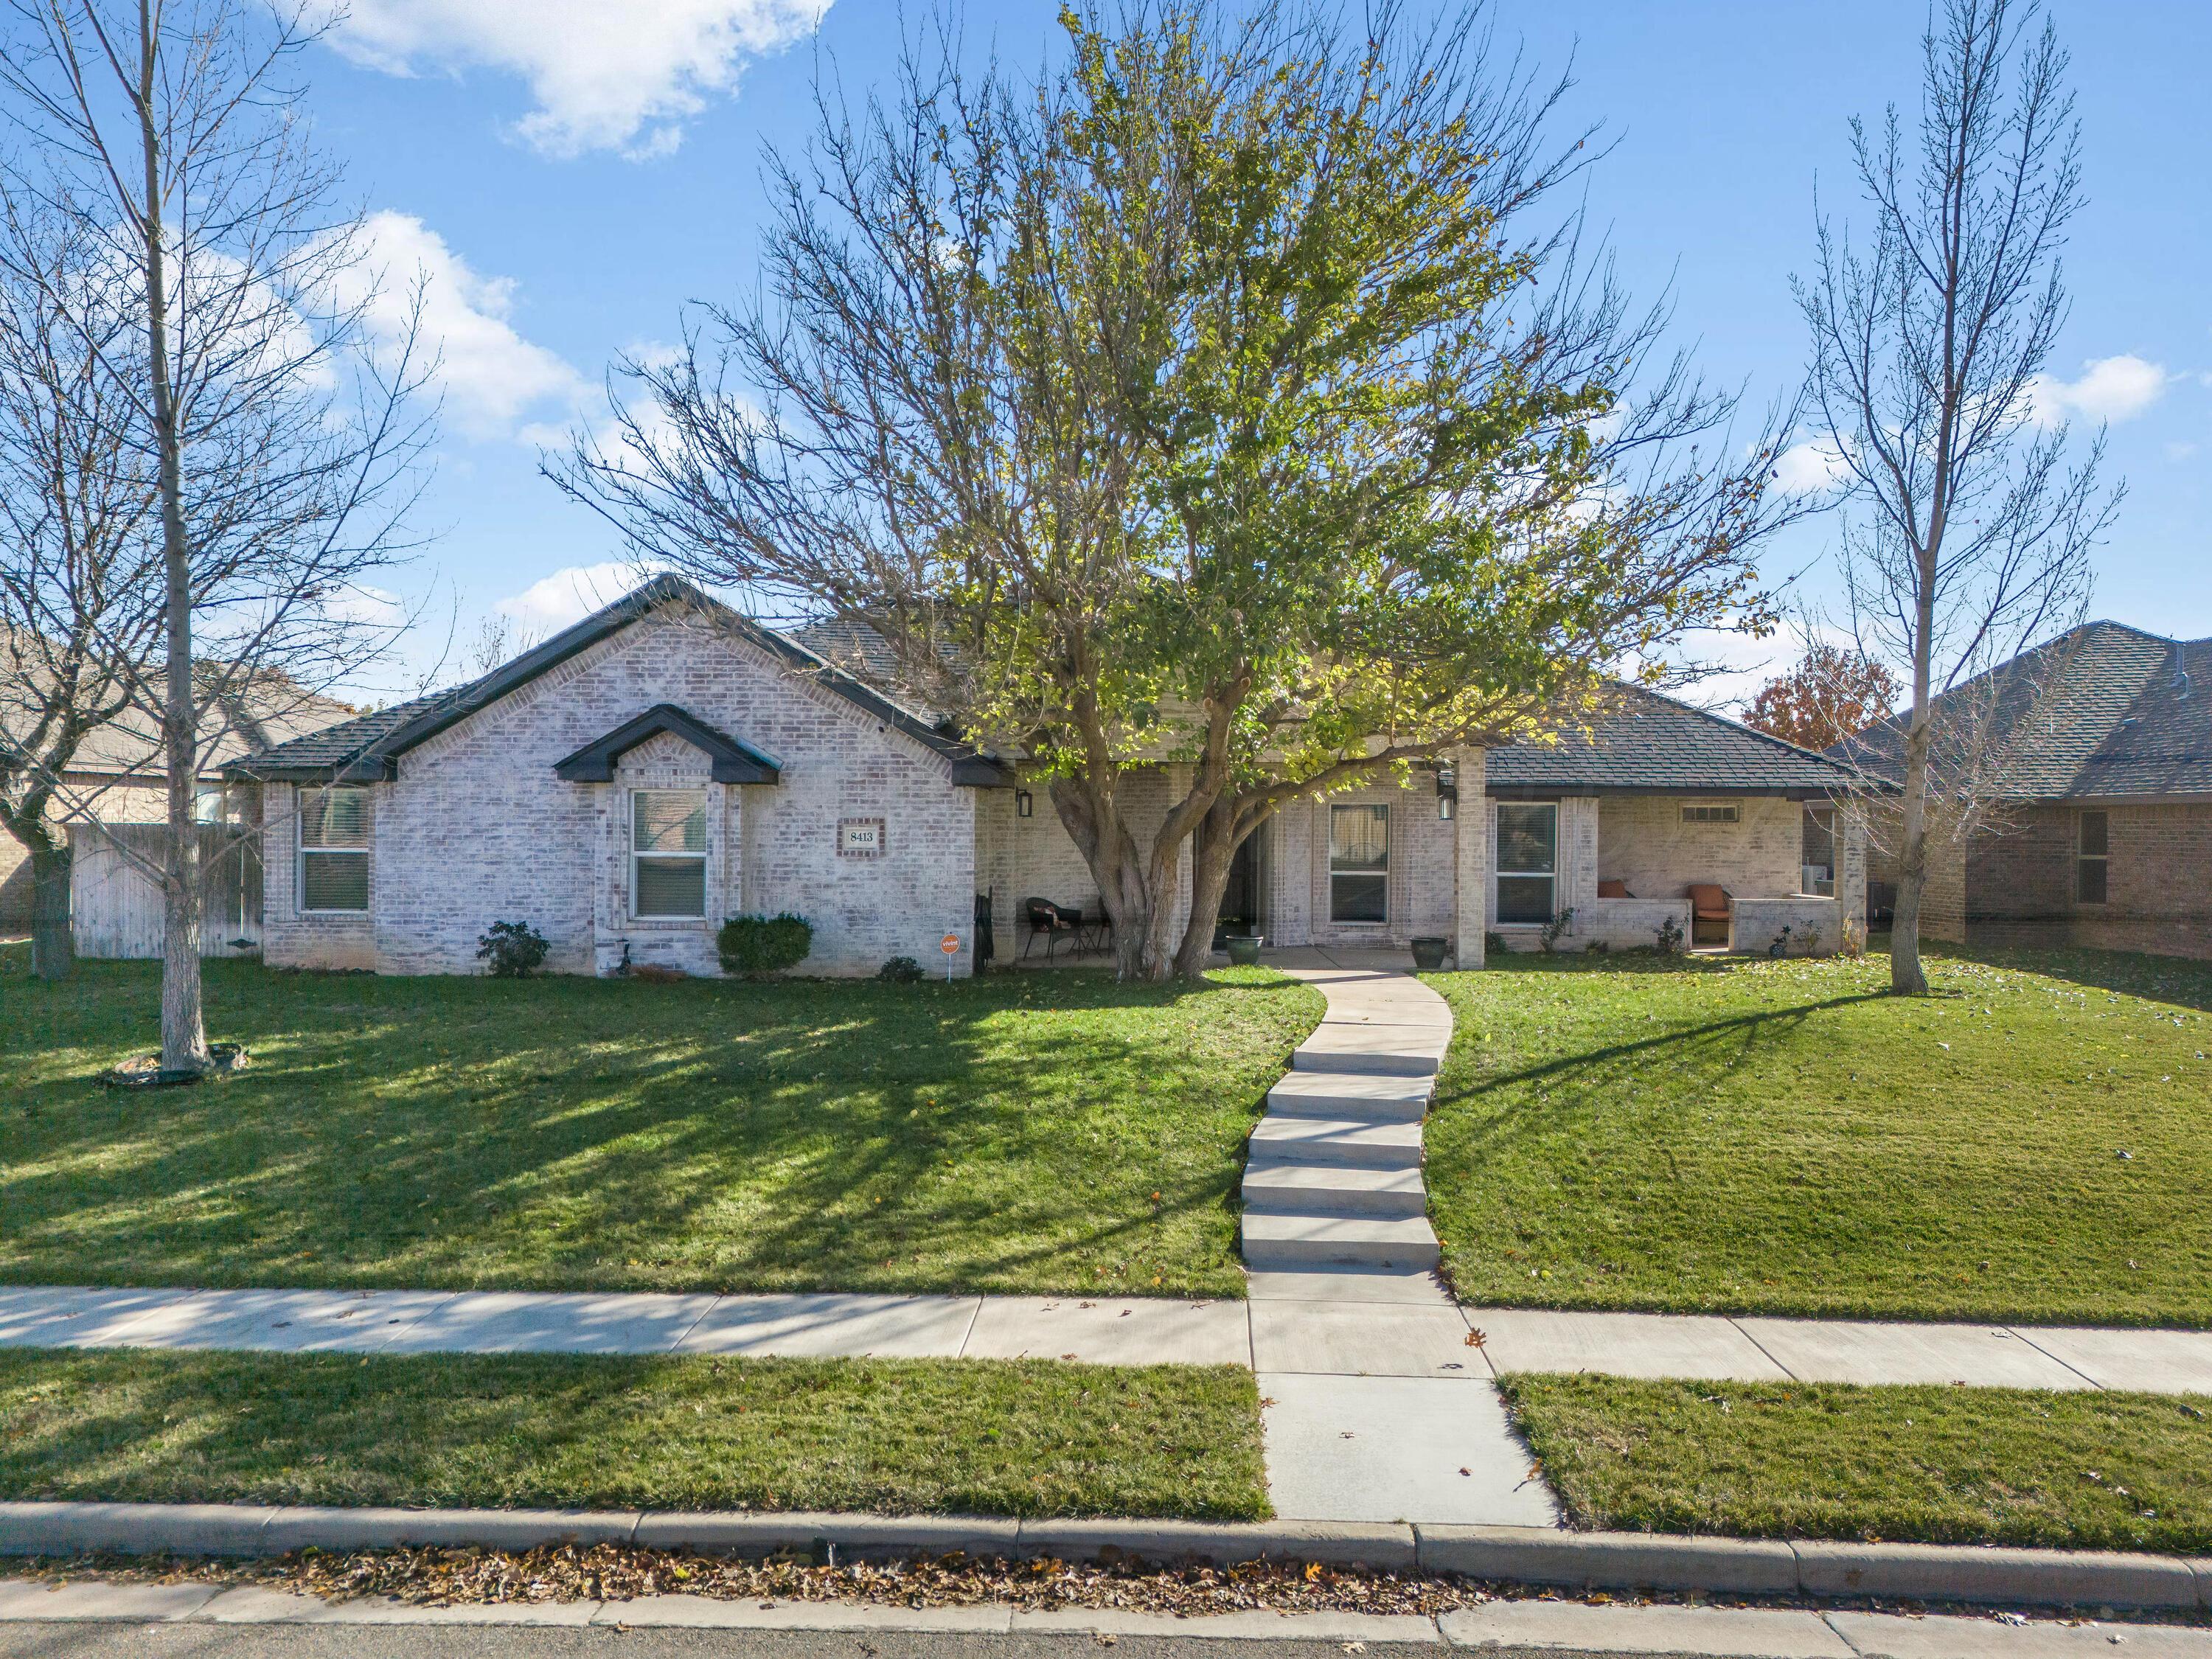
{"x":477,"y":828}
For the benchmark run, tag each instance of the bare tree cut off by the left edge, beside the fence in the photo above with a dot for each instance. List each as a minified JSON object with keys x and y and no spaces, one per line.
{"x":81,"y":585}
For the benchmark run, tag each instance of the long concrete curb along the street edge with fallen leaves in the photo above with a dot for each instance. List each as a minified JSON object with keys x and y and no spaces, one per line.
{"x":1503,"y":1554}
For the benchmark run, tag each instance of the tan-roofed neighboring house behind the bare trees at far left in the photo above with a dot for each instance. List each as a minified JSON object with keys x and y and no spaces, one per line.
{"x":118,"y":775}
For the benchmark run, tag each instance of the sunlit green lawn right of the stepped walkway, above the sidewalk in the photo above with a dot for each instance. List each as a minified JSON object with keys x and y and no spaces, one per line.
{"x":1757,"y":1136}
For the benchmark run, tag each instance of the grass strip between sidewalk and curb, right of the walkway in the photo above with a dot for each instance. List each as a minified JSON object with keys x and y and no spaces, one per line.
{"x":1928,"y":1465}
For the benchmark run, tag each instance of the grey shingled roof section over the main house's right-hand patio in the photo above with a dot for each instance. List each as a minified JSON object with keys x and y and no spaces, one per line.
{"x":1649,"y":744}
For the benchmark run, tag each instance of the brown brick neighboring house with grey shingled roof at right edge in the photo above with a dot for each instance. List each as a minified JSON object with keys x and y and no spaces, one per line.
{"x":2100,"y":822}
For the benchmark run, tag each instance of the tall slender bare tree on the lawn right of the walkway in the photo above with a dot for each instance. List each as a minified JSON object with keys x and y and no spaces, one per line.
{"x":1972,"y":530}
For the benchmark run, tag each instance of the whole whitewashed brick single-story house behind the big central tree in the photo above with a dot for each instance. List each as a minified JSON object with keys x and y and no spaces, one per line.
{"x":667,"y":764}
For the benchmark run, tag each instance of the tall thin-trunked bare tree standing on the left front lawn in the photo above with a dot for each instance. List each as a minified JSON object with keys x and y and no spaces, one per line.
{"x":271,"y":406}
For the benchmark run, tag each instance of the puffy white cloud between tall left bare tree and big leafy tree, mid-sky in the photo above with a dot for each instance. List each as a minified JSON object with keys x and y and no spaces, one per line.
{"x":488,"y":373}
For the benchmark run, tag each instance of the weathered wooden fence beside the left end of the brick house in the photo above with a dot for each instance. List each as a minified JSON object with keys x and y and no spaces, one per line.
{"x":116,"y":908}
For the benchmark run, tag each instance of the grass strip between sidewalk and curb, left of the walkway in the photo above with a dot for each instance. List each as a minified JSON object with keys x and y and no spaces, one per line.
{"x":545,"y":1430}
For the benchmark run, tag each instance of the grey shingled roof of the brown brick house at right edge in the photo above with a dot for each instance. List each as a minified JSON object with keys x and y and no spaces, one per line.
{"x":2100,"y":711}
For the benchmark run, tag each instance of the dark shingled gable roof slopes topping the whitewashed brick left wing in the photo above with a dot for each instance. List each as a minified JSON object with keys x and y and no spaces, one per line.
{"x":371,"y":747}
